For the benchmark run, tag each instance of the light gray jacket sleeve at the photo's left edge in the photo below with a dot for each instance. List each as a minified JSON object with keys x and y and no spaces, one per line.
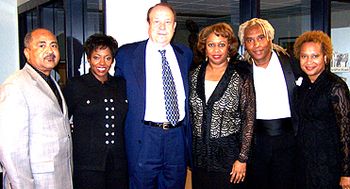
{"x":14,"y":137}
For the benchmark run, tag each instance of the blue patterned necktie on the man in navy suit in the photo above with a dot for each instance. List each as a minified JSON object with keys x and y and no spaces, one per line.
{"x":170,"y":96}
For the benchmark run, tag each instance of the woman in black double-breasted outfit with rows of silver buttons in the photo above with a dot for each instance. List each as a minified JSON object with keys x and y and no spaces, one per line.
{"x":97,"y":104}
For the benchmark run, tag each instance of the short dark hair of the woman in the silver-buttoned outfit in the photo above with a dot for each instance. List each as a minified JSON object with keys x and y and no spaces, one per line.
{"x":100,"y":41}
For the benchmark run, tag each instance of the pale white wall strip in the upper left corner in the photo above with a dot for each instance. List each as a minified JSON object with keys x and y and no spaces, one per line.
{"x":9,"y":38}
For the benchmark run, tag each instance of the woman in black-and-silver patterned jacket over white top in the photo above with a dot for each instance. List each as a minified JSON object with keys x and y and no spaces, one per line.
{"x":222,"y":103}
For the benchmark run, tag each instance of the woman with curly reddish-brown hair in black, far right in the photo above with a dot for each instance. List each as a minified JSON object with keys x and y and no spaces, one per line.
{"x":322,"y":103}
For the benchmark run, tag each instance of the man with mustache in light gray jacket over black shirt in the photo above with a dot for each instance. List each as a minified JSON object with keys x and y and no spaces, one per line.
{"x":35,"y":140}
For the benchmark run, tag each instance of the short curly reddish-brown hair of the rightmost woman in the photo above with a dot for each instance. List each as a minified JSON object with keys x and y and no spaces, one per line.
{"x":316,"y":37}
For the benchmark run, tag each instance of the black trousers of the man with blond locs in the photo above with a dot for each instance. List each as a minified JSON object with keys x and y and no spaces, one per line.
{"x":273,"y":162}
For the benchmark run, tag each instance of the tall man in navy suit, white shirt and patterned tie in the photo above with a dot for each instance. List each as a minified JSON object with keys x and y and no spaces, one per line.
{"x":158,"y":149}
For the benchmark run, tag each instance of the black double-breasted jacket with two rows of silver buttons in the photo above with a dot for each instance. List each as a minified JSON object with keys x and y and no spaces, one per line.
{"x":98,"y":112}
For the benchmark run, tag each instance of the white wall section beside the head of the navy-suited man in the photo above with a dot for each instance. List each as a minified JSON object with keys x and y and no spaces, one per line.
{"x":126,"y":20}
